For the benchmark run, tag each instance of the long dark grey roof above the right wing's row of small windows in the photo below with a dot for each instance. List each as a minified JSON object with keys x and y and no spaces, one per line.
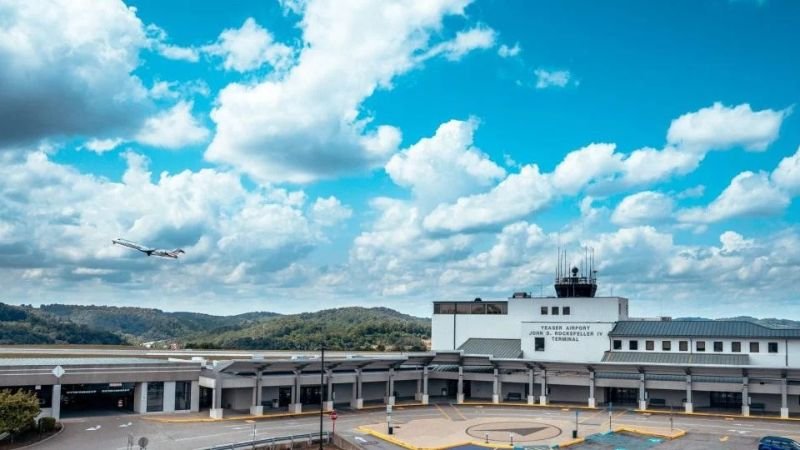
{"x":700,"y":328}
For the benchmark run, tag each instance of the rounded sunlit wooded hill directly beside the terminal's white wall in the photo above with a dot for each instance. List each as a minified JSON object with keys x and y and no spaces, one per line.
{"x":355,"y":328}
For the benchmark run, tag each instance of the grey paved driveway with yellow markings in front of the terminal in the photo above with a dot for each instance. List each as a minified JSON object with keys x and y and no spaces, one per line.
{"x":110,"y":432}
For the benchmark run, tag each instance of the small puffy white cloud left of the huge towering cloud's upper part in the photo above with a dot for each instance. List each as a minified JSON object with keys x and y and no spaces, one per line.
{"x":250,"y":47}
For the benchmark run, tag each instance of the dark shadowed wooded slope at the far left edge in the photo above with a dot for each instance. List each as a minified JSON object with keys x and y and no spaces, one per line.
{"x":19,"y":326}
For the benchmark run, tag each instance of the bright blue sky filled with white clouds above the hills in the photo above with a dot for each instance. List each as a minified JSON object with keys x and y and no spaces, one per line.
{"x":316,"y":154}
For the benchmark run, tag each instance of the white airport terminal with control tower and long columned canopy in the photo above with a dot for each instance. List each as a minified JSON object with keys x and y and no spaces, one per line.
{"x":573,"y":348}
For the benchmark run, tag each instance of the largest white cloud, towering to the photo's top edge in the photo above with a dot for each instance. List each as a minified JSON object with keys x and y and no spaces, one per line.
{"x":307,"y":124}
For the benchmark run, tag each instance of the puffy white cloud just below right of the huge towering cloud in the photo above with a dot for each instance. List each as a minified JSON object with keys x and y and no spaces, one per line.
{"x":445,"y":166}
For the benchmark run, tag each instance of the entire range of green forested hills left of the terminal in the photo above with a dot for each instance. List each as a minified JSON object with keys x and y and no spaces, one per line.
{"x":355,"y":329}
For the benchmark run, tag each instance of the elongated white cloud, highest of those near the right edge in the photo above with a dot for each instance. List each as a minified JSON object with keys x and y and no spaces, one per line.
{"x":720,"y":127}
